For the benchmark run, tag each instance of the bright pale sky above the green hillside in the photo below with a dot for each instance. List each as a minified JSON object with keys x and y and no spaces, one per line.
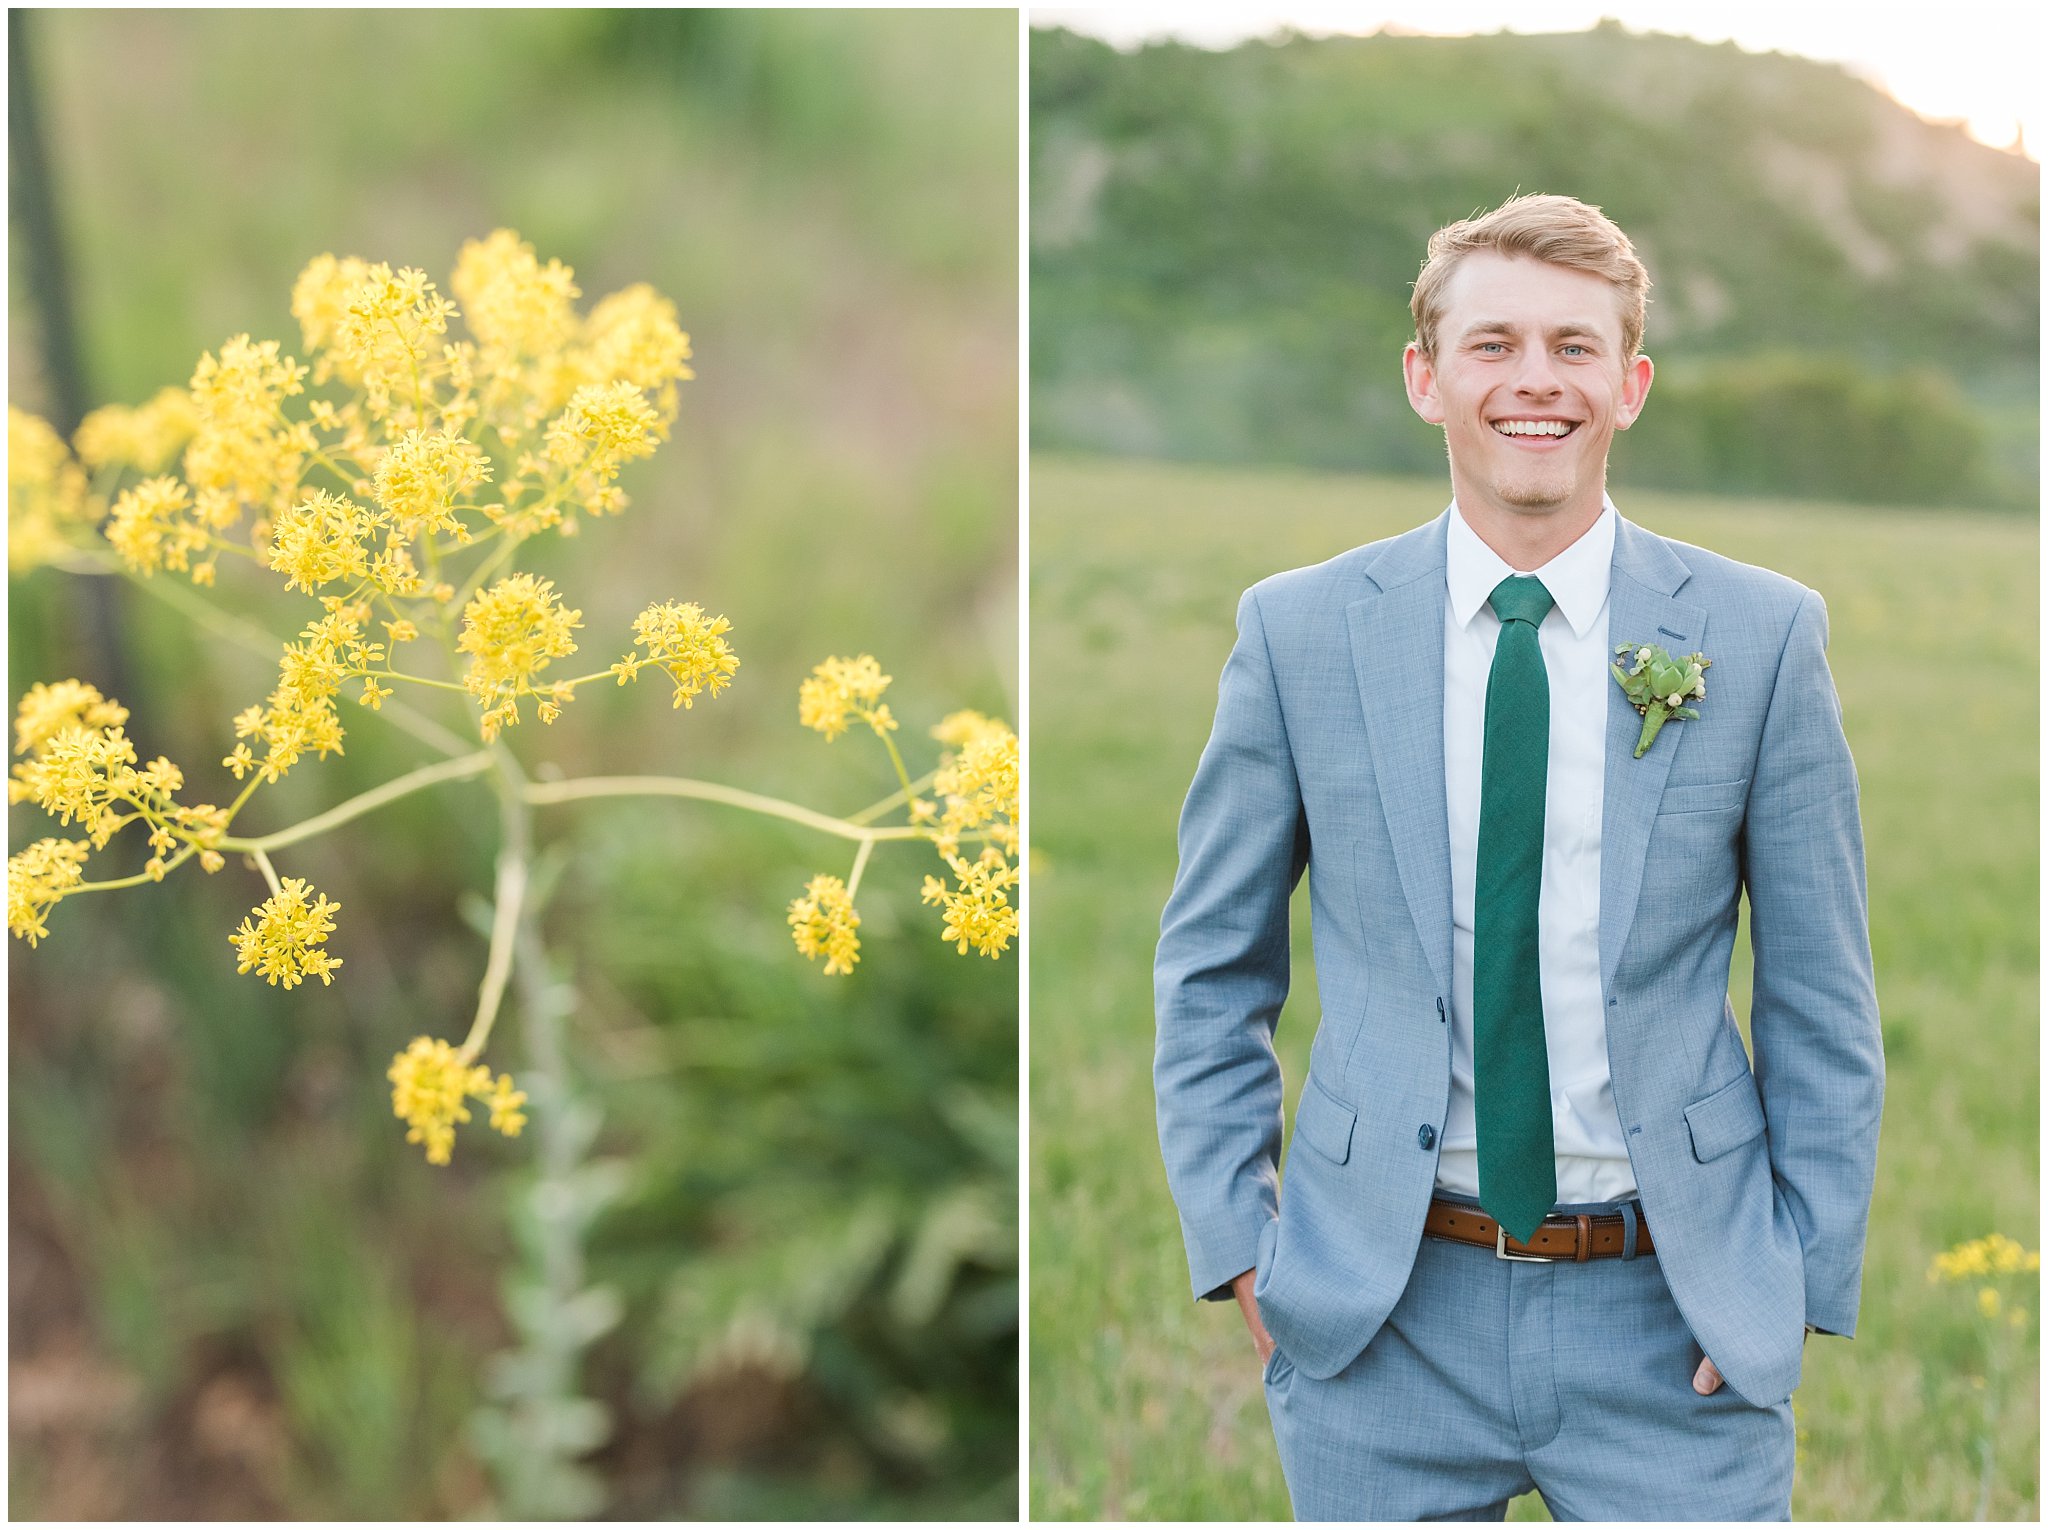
{"x":1961,"y":60}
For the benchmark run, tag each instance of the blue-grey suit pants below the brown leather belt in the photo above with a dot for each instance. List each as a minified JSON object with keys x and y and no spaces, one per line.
{"x":1496,"y":1379}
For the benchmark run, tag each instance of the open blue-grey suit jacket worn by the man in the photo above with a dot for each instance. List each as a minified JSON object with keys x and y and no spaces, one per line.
{"x":1328,"y":755}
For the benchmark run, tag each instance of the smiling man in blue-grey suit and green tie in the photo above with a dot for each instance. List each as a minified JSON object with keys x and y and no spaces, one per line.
{"x":1523,"y":937}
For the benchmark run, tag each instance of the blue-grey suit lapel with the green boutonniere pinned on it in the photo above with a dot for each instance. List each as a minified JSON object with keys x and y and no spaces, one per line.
{"x":1641,"y":609}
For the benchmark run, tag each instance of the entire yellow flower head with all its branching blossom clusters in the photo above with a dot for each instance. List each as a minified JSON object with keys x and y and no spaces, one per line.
{"x":394,"y":478}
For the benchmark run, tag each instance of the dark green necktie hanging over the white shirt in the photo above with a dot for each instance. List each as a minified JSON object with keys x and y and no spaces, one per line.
{"x":1510,"y":1064}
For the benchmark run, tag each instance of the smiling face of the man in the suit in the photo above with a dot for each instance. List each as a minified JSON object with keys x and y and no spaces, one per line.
{"x":1531,"y":384}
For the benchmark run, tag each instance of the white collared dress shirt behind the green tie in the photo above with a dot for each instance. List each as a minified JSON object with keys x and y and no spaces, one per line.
{"x":1592,"y":1160}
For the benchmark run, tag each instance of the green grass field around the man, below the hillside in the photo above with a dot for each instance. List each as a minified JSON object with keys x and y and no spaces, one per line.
{"x":1146,"y":1406}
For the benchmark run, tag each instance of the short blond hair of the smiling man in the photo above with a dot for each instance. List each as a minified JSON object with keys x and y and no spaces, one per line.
{"x":1558,"y":230}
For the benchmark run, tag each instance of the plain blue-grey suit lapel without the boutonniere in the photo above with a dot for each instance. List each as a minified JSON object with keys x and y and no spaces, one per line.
{"x":1398,"y":652}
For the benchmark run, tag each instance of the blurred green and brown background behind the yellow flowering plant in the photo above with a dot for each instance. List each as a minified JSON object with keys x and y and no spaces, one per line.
{"x":234,"y":1291}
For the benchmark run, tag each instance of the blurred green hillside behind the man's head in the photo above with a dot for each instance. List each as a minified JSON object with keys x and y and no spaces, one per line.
{"x":1224,"y":243}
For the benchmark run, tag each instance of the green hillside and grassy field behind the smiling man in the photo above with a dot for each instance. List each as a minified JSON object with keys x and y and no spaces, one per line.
{"x":1222,"y":249}
